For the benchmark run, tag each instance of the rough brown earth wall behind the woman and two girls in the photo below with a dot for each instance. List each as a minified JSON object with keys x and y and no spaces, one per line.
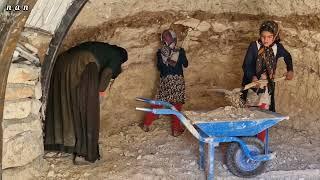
{"x":215,"y":35}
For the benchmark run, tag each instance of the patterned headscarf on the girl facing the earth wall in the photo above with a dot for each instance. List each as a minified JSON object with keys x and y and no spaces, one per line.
{"x":169,"y":51}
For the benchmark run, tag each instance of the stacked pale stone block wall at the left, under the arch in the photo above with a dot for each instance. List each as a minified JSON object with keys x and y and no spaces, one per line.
{"x":22,"y":124}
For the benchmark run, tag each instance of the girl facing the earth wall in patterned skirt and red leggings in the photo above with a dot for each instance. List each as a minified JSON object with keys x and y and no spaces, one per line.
{"x":170,"y":63}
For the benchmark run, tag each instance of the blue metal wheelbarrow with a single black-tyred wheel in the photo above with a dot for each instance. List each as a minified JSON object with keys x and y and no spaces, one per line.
{"x":246,"y":155}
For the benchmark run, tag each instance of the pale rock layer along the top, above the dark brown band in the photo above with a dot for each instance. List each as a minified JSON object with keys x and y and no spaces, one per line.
{"x":98,"y":11}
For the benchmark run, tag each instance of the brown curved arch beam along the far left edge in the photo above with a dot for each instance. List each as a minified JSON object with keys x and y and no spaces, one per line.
{"x":9,"y":36}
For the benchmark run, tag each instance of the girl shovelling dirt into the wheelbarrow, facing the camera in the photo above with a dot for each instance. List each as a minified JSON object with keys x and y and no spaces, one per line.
{"x":261,"y":59}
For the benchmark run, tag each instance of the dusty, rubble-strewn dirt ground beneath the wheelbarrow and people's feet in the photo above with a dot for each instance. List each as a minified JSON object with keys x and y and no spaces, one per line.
{"x":135,"y":154}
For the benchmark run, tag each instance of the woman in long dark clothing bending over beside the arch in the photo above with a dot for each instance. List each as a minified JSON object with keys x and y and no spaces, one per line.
{"x":73,"y":112}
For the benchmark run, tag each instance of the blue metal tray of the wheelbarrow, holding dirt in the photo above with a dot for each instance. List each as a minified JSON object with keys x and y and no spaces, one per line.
{"x":211,"y":127}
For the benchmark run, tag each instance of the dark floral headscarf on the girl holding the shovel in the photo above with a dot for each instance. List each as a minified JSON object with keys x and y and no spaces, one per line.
{"x":266,"y":61}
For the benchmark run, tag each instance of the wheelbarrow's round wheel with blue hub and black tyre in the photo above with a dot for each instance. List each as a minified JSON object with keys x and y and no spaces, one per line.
{"x":241,"y":166}
